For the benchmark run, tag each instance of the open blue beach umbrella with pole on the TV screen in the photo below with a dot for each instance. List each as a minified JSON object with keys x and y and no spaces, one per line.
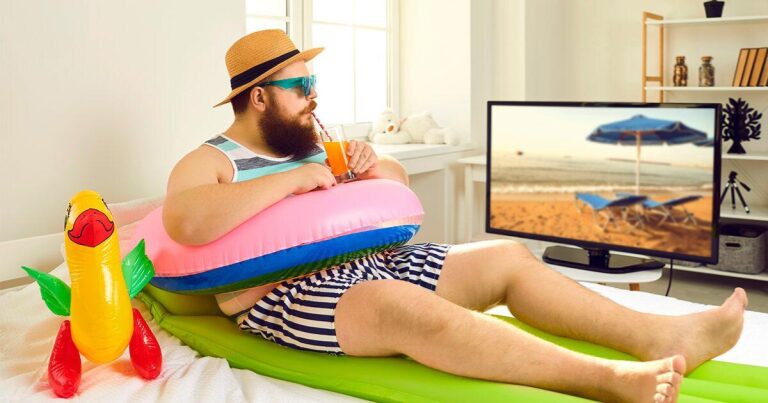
{"x":644,"y":131}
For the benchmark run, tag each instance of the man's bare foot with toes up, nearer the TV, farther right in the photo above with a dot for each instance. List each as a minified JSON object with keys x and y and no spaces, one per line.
{"x":702,"y":336}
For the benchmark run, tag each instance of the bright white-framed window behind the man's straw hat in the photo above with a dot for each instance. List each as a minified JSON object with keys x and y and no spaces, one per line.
{"x":356,"y":75}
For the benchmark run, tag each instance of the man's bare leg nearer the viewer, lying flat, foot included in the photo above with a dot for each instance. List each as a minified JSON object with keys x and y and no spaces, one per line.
{"x":388,"y":317}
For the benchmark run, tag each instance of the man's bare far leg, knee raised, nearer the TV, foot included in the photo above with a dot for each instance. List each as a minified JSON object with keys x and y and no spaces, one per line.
{"x":485,"y":274}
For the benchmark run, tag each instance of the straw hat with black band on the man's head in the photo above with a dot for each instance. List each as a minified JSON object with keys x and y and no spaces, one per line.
{"x":258,"y":55}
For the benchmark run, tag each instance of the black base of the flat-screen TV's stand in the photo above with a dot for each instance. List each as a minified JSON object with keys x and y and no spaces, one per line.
{"x":598,"y":260}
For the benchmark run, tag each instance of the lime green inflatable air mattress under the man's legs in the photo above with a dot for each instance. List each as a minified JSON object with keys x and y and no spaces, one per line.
{"x":197,"y":321}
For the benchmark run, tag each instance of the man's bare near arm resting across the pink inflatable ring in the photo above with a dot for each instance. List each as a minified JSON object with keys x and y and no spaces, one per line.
{"x":198,"y":209}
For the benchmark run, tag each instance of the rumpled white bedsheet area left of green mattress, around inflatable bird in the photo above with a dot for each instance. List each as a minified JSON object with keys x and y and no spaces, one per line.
{"x":27,"y":332}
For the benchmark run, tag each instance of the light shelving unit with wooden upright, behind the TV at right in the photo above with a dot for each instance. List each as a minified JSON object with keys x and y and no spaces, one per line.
{"x":753,"y":162}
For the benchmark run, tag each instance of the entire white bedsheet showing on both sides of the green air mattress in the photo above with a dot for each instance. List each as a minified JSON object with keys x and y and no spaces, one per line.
{"x":27,"y":331}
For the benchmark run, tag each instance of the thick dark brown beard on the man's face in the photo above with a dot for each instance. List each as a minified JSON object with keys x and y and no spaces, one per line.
{"x":287,"y":135}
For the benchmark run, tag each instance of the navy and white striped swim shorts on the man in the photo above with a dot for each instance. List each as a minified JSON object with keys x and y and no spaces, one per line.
{"x":299,"y":313}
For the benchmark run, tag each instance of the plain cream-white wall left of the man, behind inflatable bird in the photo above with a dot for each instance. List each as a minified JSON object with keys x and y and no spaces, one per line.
{"x":104,"y":95}
